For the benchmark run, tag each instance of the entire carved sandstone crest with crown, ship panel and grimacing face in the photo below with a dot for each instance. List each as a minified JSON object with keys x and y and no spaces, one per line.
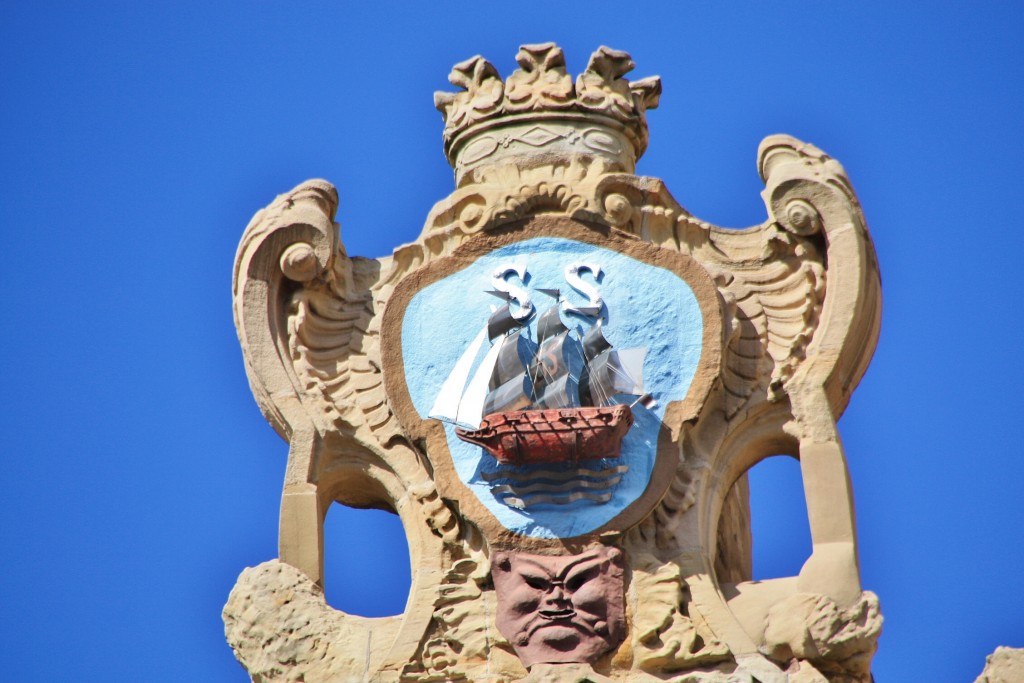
{"x":560,"y":389}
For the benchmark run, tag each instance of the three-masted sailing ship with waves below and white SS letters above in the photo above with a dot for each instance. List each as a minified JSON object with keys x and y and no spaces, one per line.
{"x":551,"y":410}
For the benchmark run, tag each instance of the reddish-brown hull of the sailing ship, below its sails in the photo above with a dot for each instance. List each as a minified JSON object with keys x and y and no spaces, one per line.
{"x":556,"y":436}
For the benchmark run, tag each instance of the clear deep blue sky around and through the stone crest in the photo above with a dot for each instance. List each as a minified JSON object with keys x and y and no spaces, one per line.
{"x":139,"y":139}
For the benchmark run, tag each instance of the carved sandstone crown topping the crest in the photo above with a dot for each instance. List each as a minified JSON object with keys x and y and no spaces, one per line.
{"x":540,"y":110}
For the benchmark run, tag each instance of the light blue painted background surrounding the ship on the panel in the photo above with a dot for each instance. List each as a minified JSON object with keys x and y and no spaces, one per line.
{"x":645,"y":310}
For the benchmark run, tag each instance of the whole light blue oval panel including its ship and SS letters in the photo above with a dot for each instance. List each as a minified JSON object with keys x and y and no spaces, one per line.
{"x":531,"y":370}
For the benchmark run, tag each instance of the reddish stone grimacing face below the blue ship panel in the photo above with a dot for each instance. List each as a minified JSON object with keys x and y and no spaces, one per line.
{"x":569,"y":609}
